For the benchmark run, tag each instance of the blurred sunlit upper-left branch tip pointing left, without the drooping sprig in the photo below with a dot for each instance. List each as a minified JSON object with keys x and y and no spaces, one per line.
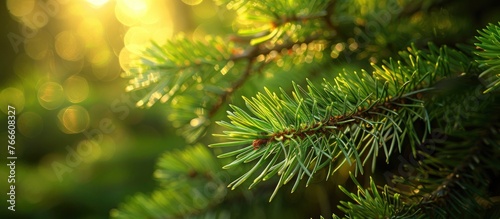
{"x":172,"y":65}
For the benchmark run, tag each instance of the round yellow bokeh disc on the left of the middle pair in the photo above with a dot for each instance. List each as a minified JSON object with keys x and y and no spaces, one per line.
{"x":50,"y":95}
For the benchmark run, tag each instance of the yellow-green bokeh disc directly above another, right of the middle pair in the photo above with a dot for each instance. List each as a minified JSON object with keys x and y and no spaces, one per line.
{"x":76,"y":89}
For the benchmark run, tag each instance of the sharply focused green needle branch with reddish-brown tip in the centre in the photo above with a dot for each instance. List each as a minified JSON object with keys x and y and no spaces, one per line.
{"x":345,"y":121}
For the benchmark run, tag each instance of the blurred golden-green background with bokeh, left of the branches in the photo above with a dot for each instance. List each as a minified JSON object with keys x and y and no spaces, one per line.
{"x":81,"y":143}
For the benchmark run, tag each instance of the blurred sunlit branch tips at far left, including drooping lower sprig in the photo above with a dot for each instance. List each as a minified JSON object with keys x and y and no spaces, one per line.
{"x":188,"y":75}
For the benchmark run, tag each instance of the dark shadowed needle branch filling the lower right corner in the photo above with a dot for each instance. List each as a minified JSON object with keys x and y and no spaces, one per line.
{"x":457,"y":185}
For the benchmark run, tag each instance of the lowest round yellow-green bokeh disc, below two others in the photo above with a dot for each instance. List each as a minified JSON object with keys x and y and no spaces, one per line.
{"x":73,"y":119}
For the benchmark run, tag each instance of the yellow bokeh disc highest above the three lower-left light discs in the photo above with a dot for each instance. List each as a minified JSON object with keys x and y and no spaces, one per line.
{"x":68,"y":46}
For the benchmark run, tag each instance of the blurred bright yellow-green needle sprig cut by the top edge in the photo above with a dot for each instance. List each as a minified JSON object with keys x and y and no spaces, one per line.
{"x":270,"y":22}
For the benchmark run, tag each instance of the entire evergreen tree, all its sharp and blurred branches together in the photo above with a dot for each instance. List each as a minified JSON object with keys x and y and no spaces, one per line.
{"x":304,"y":122}
